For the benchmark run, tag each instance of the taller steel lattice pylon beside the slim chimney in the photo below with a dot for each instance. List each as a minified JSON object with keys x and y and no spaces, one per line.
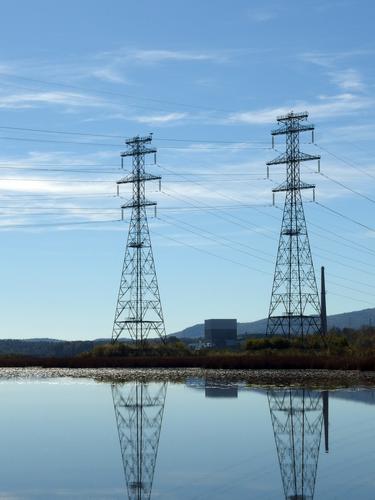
{"x":294,"y":307}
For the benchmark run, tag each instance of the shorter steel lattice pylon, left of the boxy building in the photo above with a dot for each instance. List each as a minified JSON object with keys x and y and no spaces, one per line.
{"x":138,"y":313}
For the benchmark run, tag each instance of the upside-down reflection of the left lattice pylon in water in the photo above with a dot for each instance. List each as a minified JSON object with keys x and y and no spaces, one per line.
{"x":139,"y":411}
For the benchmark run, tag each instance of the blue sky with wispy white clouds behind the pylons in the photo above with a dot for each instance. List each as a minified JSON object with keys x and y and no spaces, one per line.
{"x":208,"y":79}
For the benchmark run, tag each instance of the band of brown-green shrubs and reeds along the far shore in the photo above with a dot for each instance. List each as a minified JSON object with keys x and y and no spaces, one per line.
{"x":344,"y":350}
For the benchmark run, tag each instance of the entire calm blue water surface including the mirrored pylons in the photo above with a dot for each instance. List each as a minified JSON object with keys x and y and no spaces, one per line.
{"x":72,"y":438}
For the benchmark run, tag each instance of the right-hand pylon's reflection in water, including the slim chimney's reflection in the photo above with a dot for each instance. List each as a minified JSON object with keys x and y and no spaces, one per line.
{"x":298,"y":417}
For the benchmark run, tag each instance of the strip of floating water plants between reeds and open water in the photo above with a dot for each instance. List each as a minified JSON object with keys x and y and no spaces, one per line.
{"x":334,"y":379}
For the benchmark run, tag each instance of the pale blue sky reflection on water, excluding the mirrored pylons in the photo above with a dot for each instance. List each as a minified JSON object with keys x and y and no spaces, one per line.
{"x":60,"y":440}
